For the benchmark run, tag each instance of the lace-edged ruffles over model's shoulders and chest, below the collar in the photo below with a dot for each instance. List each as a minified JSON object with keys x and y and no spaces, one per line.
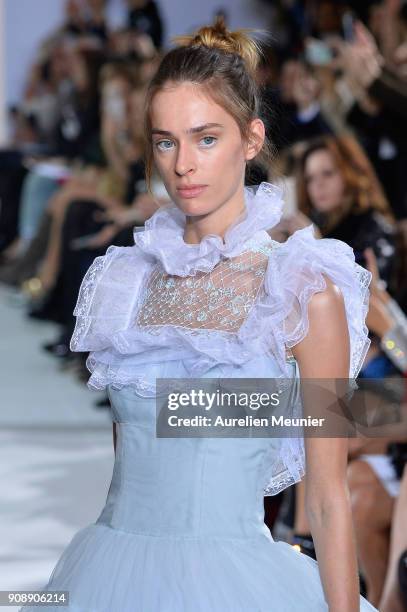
{"x":112,"y":291}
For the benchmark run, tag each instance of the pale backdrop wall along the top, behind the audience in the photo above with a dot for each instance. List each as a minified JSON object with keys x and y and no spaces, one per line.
{"x":26,"y":22}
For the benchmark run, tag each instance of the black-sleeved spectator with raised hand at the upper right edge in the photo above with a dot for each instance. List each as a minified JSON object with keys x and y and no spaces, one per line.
{"x":378,"y":115}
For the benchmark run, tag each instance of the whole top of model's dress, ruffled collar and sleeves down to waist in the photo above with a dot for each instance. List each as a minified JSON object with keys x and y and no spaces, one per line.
{"x":231,"y":307}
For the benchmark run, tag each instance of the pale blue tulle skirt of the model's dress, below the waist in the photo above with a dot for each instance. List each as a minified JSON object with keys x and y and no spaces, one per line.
{"x":108,"y":570}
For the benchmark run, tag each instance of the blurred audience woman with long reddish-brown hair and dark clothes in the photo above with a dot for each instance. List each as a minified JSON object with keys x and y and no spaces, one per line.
{"x":339,"y":191}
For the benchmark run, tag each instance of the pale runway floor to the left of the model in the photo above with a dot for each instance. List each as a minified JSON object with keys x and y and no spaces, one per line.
{"x":56,"y":452}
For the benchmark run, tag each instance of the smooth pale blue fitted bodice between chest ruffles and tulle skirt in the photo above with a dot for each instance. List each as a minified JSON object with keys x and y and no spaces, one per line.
{"x":191,"y":487}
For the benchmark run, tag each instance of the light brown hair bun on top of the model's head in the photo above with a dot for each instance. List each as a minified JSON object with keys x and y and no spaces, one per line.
{"x":217,"y":36}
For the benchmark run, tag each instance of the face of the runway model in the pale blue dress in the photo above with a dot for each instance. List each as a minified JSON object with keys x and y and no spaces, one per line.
{"x":198,"y":148}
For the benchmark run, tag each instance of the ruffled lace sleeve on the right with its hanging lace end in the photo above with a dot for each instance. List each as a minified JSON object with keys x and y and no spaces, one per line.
{"x":296,"y":271}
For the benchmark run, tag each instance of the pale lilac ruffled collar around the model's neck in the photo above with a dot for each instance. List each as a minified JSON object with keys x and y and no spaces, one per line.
{"x":162,"y":235}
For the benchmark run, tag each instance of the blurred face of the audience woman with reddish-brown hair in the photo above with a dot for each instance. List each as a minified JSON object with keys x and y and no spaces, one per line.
{"x":325,"y":184}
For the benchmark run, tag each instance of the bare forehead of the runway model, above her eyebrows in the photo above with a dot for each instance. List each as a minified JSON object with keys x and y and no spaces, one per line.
{"x":179,"y":106}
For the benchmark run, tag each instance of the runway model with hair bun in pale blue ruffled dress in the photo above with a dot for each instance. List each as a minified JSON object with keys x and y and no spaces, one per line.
{"x":205,"y":292}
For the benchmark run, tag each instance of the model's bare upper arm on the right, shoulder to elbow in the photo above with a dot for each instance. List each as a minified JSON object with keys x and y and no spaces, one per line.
{"x":324,"y":353}
